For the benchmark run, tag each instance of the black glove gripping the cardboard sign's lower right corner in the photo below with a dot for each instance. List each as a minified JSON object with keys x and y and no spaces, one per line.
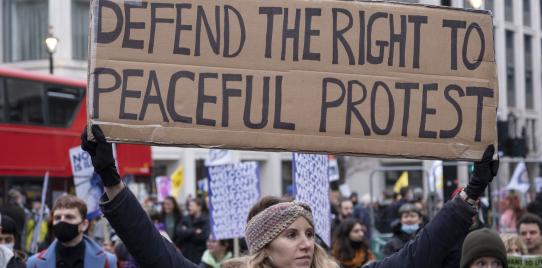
{"x":484,"y":171}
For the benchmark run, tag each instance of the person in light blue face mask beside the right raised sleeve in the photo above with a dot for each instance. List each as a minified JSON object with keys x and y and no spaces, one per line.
{"x":410,"y":220}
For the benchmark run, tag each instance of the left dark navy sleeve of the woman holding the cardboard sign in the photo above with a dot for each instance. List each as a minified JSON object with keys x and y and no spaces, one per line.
{"x":139,"y":235}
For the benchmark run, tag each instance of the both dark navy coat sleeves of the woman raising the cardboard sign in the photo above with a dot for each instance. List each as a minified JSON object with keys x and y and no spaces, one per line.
{"x":432,"y":246}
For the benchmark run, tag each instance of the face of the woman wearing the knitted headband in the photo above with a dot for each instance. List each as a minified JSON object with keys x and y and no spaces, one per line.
{"x":294,"y":247}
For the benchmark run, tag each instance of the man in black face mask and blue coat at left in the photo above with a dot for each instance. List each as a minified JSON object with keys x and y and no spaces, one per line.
{"x":71,"y":249}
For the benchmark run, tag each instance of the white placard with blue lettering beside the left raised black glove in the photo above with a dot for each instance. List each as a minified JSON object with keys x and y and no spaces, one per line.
{"x":88,"y":184}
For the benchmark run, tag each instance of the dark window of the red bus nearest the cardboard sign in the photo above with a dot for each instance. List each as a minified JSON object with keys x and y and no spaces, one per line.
{"x":62,"y":103}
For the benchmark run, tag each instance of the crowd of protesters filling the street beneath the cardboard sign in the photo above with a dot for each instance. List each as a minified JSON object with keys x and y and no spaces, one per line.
{"x":280,"y":232}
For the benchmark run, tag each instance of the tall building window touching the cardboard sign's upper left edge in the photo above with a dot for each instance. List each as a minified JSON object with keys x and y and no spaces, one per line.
{"x":80,"y":14}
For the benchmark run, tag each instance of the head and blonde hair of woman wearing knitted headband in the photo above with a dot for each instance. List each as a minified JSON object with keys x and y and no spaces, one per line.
{"x":281,"y":234}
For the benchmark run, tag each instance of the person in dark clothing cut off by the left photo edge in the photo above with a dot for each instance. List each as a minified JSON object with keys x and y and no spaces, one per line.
{"x":10,"y":254}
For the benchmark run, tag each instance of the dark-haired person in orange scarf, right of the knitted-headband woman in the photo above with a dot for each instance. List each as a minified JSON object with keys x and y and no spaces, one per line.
{"x":350,"y":246}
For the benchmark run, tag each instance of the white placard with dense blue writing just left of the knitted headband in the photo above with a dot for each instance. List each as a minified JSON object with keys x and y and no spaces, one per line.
{"x":233,"y":189}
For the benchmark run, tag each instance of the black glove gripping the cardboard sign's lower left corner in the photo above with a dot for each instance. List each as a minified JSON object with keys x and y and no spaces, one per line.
{"x":101,"y":153}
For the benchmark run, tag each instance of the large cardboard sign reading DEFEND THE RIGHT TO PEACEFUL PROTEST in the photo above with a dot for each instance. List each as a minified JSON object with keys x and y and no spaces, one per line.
{"x":346,"y":77}
